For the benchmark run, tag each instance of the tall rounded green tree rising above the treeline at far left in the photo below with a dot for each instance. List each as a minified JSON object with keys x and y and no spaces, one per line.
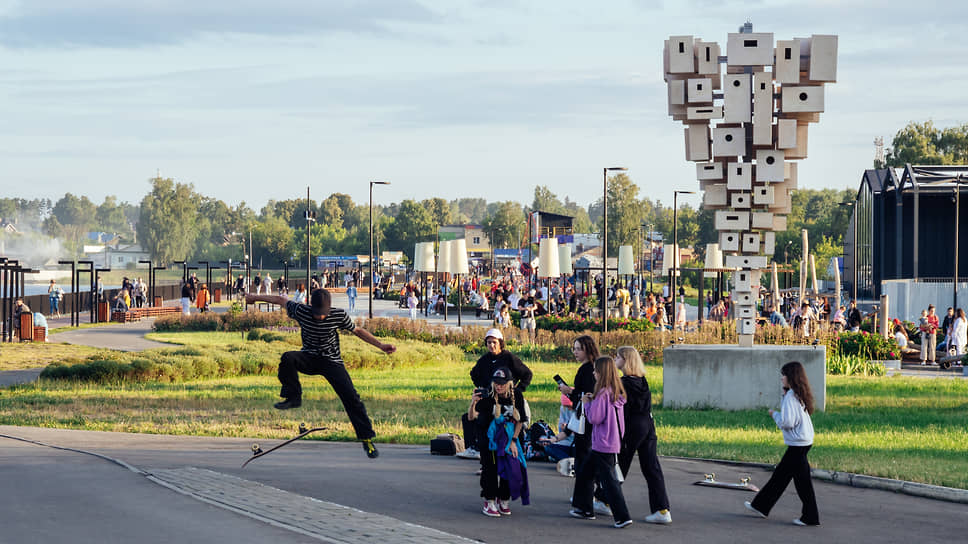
{"x":167,"y":227}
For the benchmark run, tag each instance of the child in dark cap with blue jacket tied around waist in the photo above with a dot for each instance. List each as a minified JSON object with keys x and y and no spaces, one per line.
{"x":500,"y":418}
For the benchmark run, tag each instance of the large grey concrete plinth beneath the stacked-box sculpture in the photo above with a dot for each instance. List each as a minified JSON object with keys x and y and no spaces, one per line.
{"x":735,"y":378}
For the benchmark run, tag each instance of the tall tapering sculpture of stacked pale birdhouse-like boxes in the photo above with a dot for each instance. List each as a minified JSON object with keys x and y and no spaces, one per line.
{"x":744,"y":127}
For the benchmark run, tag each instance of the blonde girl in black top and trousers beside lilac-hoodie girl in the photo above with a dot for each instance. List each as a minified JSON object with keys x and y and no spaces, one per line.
{"x":640,"y":433}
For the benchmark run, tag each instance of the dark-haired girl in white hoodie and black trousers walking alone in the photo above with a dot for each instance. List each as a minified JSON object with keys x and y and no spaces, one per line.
{"x":794,"y":420}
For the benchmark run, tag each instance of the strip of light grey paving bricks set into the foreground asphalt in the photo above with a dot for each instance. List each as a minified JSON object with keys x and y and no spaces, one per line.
{"x":327,"y":521}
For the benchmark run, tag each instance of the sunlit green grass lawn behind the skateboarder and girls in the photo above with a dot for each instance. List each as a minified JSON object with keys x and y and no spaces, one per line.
{"x":906,"y":428}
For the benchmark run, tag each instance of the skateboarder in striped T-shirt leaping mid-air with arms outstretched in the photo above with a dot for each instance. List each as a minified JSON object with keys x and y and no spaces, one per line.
{"x":319,"y":323}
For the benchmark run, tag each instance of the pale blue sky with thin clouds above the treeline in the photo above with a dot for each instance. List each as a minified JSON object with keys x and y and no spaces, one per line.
{"x":251,"y":101}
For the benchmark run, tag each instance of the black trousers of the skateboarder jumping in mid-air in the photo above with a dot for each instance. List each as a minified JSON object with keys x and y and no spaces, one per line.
{"x":294,"y":362}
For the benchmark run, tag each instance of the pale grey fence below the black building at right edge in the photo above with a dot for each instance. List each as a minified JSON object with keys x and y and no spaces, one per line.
{"x":906,"y":298}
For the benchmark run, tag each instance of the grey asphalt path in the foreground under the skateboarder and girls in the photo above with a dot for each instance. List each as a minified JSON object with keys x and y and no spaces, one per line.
{"x":86,"y":495}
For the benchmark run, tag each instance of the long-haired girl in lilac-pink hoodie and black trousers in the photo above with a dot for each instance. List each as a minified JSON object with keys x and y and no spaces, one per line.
{"x":604,"y":411}
